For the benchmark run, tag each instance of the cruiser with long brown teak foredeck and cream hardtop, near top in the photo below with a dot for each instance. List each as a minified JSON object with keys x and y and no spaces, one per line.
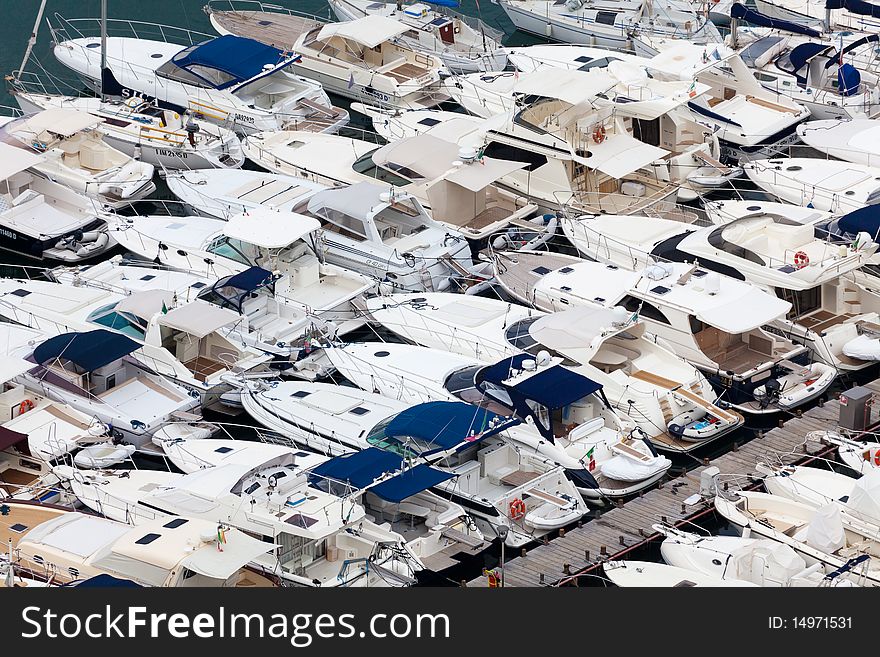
{"x":361,"y":59}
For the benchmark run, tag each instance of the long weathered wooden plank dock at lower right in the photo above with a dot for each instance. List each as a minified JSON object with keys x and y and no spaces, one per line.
{"x":610,"y":534}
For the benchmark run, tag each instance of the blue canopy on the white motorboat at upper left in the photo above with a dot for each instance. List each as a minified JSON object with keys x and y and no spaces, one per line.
{"x":238,"y":57}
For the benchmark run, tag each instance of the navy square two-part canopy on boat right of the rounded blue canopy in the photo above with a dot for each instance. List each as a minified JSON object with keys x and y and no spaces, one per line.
{"x":553,"y":387}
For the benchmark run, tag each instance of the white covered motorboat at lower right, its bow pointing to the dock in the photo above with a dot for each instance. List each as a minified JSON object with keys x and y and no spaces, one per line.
{"x":761,"y":561}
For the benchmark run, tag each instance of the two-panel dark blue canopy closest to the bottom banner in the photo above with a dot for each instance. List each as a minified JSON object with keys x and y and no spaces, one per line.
{"x":362,"y":469}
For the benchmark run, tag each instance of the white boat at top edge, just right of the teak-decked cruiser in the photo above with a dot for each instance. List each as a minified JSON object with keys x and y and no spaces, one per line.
{"x":463,"y":44}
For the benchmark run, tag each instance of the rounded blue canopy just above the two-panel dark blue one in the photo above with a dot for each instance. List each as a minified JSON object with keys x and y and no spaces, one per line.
{"x":444,"y":425}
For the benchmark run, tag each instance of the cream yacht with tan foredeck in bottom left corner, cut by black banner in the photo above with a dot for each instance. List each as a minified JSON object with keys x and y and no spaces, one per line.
{"x":62,"y":546}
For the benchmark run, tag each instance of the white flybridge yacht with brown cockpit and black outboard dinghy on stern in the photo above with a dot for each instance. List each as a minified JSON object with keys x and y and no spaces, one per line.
{"x":715,"y":322}
